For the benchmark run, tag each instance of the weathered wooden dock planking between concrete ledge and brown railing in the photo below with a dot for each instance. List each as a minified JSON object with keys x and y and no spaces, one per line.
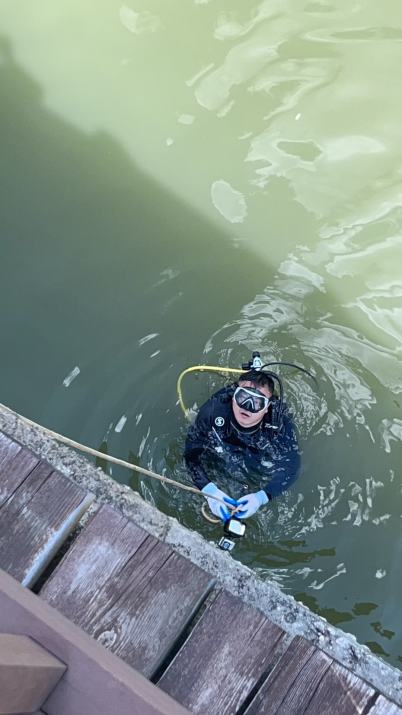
{"x":158,"y":612}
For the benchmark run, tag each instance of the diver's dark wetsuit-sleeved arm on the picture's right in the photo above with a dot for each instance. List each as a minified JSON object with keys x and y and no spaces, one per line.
{"x":286,"y":463}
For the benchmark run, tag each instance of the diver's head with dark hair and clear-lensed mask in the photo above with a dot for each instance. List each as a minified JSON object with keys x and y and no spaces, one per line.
{"x":252,"y":397}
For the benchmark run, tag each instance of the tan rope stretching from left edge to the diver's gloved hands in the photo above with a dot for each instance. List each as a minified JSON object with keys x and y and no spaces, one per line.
{"x":109,"y":458}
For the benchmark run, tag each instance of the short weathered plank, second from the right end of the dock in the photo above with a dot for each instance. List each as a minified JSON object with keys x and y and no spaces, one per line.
{"x":340,"y":692}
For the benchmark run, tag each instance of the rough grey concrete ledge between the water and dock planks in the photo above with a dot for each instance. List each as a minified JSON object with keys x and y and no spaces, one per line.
{"x":281,"y":608}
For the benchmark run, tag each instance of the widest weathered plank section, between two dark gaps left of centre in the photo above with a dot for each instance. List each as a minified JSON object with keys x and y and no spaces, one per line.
{"x":126,"y":589}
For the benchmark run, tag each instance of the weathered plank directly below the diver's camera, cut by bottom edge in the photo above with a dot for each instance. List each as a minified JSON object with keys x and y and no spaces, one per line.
{"x":230,"y":649}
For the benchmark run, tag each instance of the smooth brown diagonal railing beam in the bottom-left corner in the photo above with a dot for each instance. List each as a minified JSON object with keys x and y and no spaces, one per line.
{"x":95,"y":682}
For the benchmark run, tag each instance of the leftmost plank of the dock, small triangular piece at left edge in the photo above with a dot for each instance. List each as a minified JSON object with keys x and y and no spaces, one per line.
{"x":15,"y":465}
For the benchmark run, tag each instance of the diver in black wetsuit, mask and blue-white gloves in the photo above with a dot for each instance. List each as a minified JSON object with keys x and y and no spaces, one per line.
{"x":244,"y":437}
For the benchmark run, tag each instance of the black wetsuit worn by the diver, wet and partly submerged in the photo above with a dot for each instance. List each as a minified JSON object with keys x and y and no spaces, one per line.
{"x":240,"y":459}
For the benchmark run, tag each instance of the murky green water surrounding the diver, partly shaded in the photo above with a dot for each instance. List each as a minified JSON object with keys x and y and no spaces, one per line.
{"x":183,"y":182}
